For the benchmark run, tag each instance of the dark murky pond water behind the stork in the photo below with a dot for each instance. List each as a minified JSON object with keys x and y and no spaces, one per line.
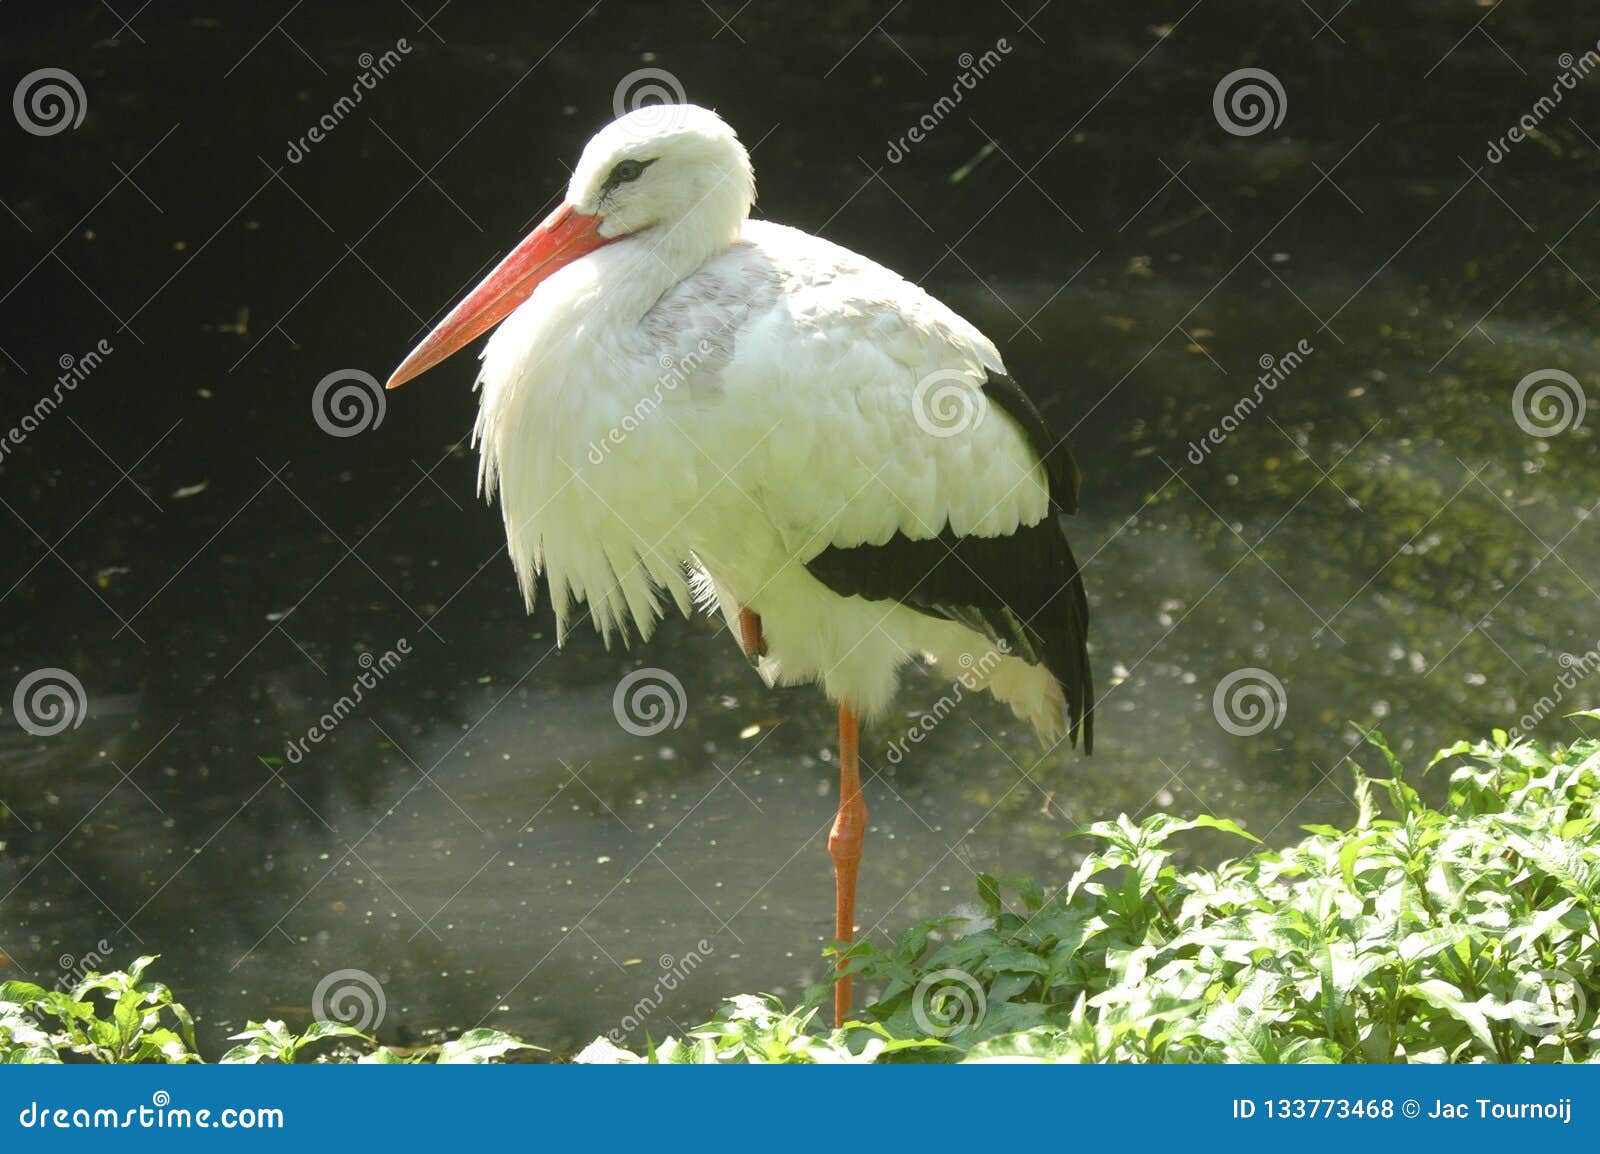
{"x":1377,"y":535}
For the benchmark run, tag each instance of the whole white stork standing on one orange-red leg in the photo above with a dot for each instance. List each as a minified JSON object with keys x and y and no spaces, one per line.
{"x":682,"y":403}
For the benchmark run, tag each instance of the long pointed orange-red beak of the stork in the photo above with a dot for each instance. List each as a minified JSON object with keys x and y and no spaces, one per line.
{"x":564,"y":236}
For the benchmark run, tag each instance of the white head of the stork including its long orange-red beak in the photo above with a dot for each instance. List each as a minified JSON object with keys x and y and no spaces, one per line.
{"x":670,"y":174}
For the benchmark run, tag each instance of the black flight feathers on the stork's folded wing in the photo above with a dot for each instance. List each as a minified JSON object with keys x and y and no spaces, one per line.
{"x":1023,"y":588}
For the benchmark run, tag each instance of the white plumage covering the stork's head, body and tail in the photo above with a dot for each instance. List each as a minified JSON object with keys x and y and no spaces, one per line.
{"x":734,"y":398}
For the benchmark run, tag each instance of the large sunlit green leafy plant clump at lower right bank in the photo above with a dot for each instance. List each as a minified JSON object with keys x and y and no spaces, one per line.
{"x":1463,"y":934}
